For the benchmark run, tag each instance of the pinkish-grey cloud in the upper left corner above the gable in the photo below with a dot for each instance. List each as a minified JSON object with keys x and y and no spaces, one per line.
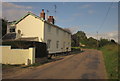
{"x":13,"y":12}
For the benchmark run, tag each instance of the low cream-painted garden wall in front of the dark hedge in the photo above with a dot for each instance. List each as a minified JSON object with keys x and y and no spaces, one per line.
{"x":17,"y":56}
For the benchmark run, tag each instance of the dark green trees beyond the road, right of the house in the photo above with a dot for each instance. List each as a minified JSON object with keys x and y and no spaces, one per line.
{"x":81,"y":38}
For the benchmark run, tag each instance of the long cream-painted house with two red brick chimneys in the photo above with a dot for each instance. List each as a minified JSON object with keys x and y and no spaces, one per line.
{"x":35,"y":28}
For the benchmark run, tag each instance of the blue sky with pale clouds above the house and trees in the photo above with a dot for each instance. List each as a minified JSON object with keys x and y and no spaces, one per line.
{"x":90,"y":17}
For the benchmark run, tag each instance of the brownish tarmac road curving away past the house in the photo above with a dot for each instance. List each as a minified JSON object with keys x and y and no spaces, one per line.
{"x":86,"y":65}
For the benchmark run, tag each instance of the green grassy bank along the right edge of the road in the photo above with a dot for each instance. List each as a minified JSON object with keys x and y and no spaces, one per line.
{"x":110,"y":53}
